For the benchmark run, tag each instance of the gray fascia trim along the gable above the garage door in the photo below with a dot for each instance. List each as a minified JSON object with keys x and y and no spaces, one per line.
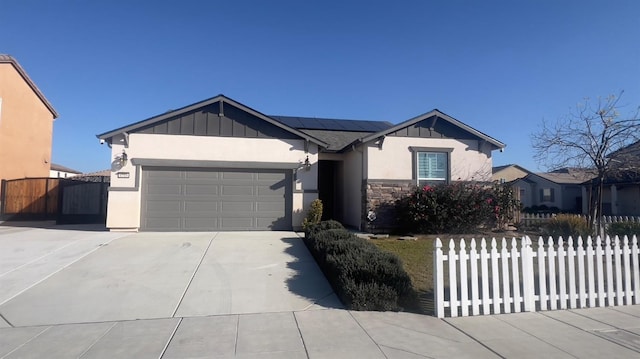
{"x":155,"y":119}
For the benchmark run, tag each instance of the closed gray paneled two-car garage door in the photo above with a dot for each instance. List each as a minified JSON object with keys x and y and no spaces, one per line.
{"x":182,"y":199}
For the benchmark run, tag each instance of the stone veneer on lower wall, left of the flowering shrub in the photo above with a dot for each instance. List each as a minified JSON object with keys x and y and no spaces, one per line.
{"x":380,"y":197}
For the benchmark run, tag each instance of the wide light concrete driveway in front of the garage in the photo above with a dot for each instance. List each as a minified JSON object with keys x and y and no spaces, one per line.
{"x":62,"y":276}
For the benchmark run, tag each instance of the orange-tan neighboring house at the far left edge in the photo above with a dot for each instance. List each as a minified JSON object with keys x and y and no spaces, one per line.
{"x":26,"y":124}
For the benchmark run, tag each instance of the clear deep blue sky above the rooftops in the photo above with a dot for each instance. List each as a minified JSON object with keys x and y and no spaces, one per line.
{"x":498,"y":66}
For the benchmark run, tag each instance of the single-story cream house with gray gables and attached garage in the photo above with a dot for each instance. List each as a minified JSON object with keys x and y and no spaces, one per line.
{"x":220,"y":165}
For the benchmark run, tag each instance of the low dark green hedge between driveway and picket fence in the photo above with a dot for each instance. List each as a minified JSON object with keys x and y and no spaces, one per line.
{"x":363,"y":276}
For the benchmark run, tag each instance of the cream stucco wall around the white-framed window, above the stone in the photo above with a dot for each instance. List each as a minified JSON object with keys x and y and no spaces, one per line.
{"x":395,"y":160}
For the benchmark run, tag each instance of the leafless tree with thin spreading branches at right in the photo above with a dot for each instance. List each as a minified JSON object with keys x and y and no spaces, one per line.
{"x":594,"y":138}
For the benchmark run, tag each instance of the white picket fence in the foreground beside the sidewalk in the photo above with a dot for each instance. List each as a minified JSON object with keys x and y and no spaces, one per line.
{"x":555,"y":275}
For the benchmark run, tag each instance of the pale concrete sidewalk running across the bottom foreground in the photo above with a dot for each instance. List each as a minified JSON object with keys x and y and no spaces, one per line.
{"x":333,"y":333}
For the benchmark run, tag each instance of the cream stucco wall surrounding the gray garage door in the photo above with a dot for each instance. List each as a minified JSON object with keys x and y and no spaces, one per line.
{"x":203,"y":148}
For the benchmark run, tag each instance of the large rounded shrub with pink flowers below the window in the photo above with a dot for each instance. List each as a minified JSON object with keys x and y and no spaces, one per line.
{"x":456,"y":208}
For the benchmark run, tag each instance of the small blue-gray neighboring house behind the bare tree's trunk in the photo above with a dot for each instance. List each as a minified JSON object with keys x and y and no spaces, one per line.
{"x":561,"y":189}
